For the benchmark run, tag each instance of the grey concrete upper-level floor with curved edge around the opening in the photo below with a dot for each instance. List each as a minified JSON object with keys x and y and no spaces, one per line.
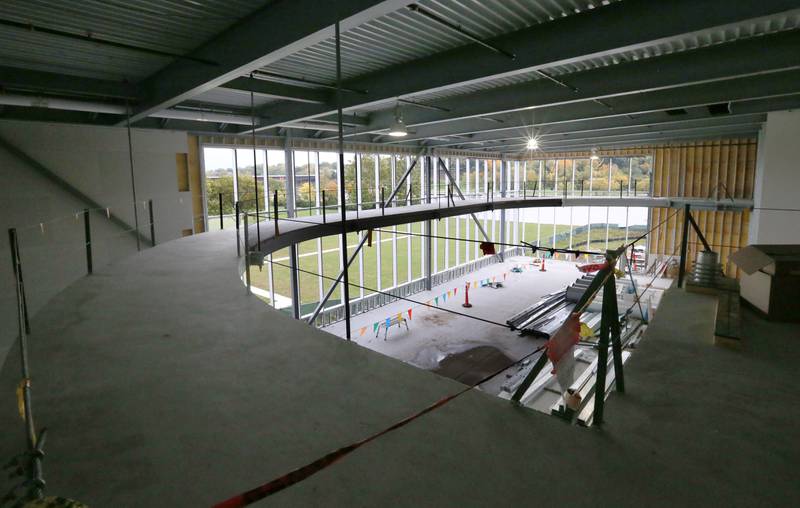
{"x":163,"y":384}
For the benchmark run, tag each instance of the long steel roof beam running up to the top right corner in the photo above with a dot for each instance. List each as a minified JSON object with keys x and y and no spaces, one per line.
{"x":603,"y":31}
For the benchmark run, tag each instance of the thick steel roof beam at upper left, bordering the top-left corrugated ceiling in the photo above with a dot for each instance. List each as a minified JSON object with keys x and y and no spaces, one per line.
{"x":273,"y":32}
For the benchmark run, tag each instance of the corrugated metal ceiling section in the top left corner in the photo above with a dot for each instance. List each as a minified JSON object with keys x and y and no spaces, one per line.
{"x":176,"y":26}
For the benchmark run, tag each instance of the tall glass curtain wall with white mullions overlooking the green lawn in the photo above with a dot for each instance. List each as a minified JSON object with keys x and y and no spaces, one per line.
{"x":396,"y":255}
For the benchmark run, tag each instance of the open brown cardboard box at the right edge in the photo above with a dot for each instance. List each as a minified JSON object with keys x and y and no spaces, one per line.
{"x":771,"y":279}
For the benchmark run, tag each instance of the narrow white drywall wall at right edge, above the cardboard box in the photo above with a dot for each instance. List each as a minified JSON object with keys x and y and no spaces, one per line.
{"x":777,"y":181}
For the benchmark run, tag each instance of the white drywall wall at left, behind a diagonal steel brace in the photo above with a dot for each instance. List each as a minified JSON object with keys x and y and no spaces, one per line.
{"x":95,"y":161}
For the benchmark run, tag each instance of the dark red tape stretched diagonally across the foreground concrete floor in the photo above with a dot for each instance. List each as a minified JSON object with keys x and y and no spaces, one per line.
{"x":300,"y":474}
